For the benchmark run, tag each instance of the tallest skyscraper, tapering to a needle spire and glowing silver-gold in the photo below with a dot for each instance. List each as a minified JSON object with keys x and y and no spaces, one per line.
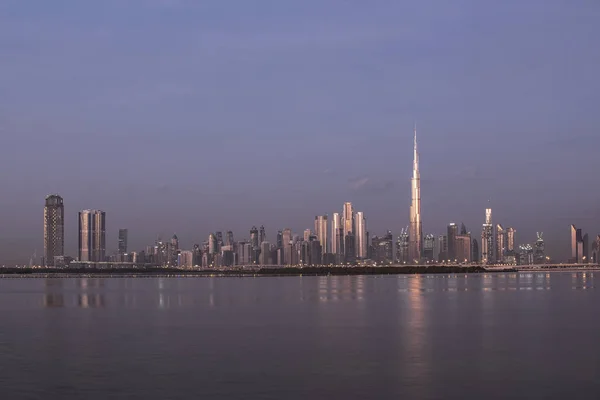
{"x":415,"y":234}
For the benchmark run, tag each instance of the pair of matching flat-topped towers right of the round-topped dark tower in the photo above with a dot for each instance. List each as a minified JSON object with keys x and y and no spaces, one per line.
{"x":92,"y":235}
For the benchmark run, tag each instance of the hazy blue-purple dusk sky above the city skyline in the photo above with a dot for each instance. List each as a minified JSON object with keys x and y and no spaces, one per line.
{"x":190,"y":117}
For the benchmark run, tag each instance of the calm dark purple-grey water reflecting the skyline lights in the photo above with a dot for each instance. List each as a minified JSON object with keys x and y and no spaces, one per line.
{"x":492,"y":336}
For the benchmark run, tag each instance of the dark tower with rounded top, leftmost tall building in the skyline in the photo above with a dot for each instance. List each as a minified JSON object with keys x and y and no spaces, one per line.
{"x":54,"y":229}
